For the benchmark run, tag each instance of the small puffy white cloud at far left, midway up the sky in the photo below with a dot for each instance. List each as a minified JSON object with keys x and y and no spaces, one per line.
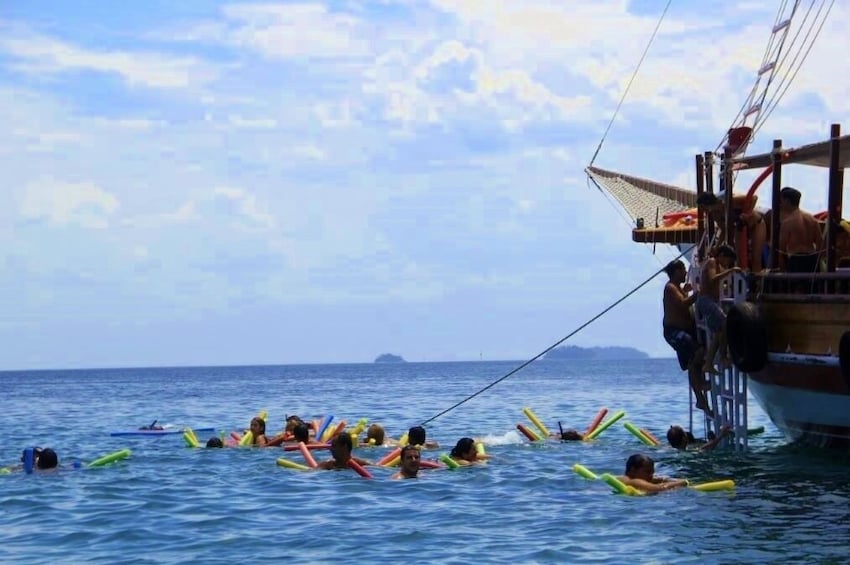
{"x":62,"y":203}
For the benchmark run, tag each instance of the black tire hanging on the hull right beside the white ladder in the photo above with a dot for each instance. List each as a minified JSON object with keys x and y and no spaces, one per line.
{"x":746,"y":334}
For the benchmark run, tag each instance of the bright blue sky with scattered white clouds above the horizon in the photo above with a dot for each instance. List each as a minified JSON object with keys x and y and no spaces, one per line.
{"x":217,"y":183}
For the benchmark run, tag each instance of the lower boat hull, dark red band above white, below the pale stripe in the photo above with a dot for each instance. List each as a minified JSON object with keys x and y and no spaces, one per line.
{"x":808,"y":401}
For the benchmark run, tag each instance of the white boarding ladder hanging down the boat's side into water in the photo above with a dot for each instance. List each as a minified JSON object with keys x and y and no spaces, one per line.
{"x":728,"y":395}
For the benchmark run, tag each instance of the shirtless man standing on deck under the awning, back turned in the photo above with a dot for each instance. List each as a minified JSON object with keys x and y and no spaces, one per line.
{"x":800,"y":236}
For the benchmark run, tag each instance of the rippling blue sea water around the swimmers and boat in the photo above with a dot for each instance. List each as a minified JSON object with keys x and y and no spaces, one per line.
{"x":171,"y":504}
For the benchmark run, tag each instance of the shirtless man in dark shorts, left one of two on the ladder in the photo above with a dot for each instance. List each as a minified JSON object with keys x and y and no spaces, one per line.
{"x":679,"y":329}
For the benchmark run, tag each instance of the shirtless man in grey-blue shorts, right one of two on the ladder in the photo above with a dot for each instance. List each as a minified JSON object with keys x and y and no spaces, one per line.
{"x":719,"y":264}
